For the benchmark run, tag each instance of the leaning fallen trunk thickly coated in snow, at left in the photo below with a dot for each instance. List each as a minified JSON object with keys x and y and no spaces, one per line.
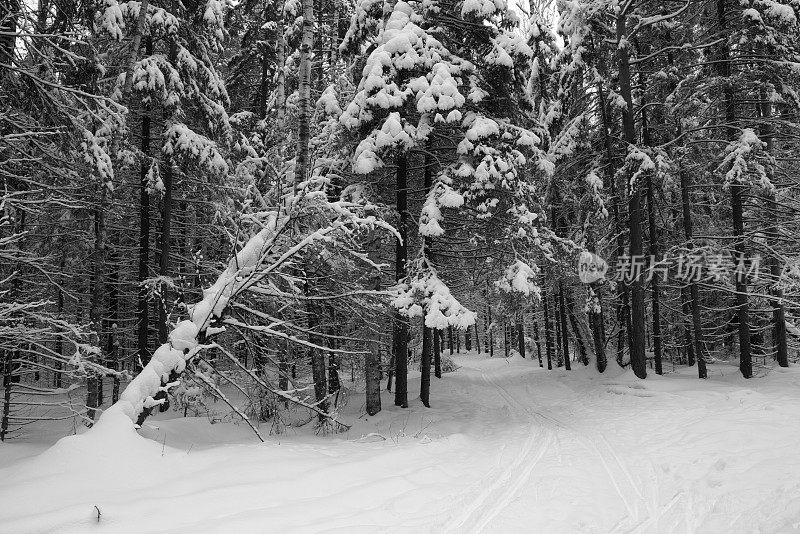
{"x":148,"y":388}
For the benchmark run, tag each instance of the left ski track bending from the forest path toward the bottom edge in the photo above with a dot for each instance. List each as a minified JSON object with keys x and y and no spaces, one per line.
{"x":504,"y":489}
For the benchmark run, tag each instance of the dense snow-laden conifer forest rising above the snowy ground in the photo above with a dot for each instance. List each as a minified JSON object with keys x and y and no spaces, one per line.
{"x":333,"y":191}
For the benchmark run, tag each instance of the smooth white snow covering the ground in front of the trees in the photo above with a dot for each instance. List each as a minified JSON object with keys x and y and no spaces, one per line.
{"x":507,"y":447}
